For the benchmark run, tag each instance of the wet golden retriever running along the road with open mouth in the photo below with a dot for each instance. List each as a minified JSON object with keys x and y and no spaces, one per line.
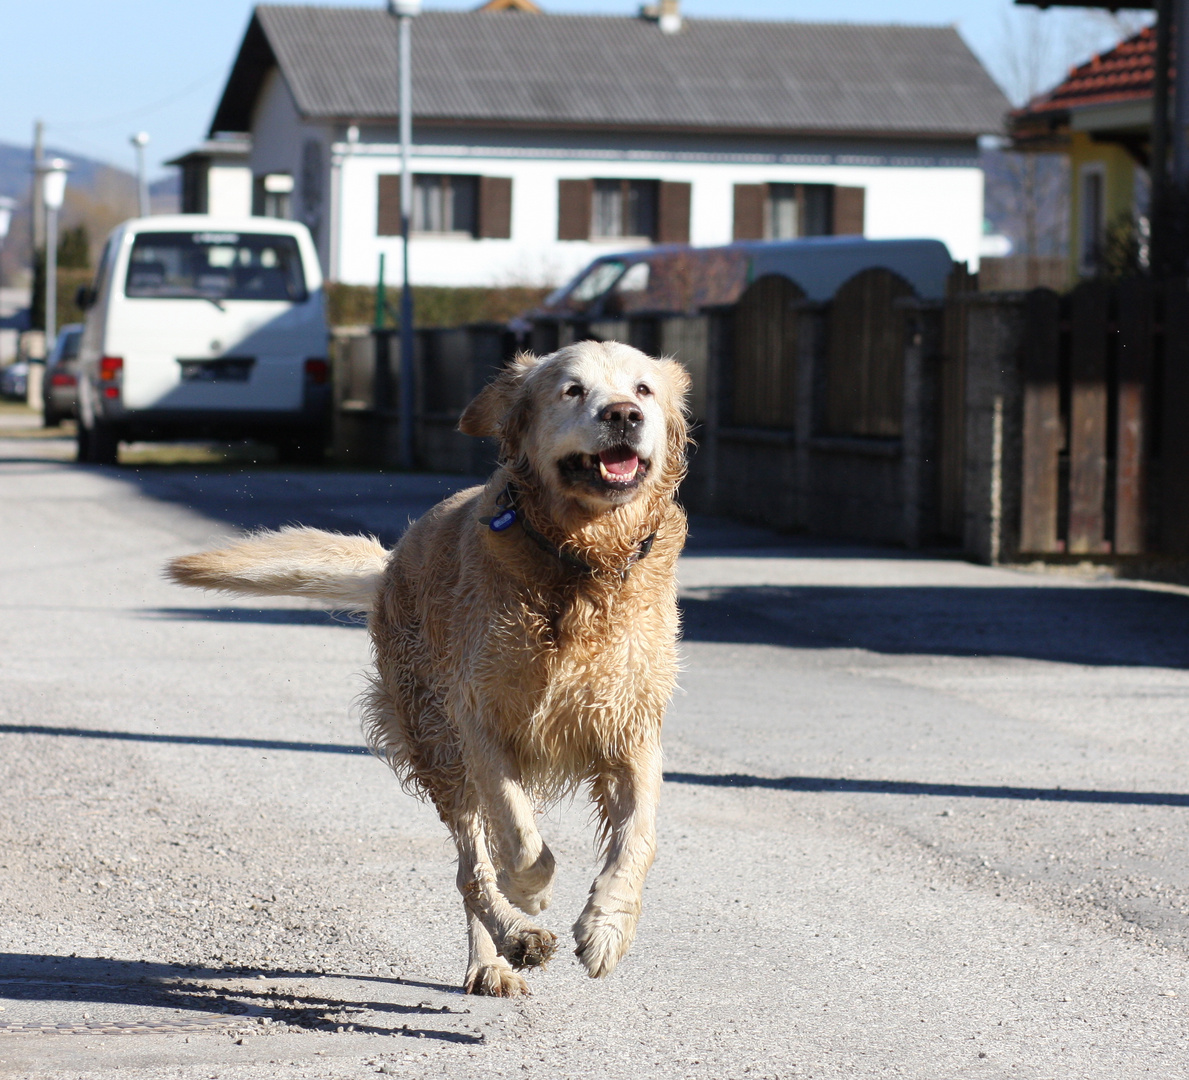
{"x":525,"y":639}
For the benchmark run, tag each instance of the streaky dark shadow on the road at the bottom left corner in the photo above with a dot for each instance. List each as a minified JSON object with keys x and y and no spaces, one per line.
{"x":194,"y":993}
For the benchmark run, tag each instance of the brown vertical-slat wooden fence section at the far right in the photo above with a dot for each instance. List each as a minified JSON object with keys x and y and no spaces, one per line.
{"x":1105,"y":420}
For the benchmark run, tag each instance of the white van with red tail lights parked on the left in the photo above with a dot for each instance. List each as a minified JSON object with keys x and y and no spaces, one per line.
{"x":205,"y":328}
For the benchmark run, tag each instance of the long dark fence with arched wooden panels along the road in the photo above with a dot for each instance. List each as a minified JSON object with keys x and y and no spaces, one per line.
{"x":1017,"y":425}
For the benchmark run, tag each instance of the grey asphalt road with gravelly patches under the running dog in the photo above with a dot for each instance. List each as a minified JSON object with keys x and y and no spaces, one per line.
{"x":922,"y":819}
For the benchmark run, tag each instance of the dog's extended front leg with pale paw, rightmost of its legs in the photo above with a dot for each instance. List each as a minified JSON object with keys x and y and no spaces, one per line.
{"x":627,"y":801}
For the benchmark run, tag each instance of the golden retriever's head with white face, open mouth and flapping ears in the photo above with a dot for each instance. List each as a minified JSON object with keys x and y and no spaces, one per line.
{"x":597,"y":423}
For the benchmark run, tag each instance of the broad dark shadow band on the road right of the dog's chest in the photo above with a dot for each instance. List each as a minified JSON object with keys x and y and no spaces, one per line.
{"x":1104,"y":626}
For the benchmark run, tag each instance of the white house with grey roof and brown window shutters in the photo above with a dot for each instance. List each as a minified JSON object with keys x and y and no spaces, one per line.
{"x":544,"y":141}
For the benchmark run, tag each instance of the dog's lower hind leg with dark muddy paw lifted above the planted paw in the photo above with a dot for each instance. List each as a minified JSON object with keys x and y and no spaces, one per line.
{"x":514,"y":938}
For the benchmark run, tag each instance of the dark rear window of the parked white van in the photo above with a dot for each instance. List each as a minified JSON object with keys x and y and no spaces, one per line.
{"x":216,"y":266}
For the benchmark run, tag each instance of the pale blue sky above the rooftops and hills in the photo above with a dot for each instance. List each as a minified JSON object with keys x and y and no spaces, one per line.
{"x":97,"y":73}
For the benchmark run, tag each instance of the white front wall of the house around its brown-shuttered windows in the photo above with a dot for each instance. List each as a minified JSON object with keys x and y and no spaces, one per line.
{"x":914,"y":197}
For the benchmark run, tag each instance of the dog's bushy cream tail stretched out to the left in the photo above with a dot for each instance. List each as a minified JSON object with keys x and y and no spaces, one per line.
{"x":343,"y":573}
